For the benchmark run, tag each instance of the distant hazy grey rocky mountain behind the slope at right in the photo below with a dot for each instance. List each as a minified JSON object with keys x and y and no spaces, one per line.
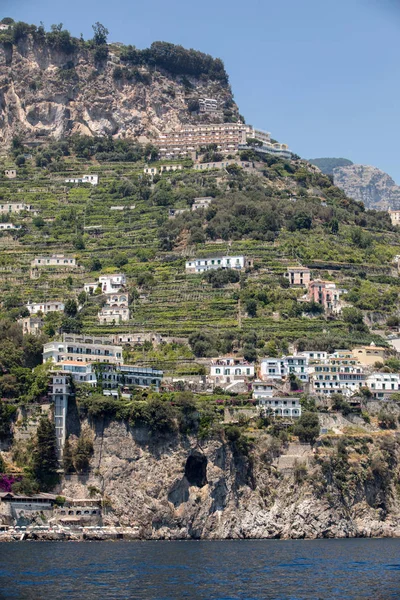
{"x":369,"y":185}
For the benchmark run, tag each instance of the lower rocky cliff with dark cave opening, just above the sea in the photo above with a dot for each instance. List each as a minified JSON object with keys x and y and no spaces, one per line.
{"x":176,"y":487}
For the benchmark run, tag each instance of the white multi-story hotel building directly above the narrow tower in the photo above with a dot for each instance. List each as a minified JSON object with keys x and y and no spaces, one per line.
{"x":85,"y":349}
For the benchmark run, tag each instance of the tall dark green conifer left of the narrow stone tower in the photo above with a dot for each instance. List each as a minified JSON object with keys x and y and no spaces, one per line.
{"x":45,"y":462}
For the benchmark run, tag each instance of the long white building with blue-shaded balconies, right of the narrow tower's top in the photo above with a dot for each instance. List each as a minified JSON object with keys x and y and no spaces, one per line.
{"x":126,"y":376}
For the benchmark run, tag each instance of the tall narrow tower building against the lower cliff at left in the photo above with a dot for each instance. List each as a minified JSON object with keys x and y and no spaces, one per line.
{"x":60,"y":391}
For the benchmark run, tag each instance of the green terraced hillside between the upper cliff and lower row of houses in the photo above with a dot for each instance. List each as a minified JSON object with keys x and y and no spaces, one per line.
{"x":282,"y":214}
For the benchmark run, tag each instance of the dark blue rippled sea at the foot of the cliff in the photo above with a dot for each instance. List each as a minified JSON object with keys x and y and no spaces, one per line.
{"x":202,"y":570}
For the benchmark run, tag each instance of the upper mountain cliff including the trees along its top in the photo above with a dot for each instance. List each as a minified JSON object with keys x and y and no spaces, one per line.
{"x":52,"y":84}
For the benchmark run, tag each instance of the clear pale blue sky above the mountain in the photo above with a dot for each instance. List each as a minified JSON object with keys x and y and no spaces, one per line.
{"x":320,"y":75}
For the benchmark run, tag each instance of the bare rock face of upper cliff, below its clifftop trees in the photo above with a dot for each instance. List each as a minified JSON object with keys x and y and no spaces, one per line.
{"x":44,"y":92}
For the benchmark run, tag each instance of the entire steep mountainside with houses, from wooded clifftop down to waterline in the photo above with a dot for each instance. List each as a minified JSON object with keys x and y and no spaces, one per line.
{"x":92,"y":224}
